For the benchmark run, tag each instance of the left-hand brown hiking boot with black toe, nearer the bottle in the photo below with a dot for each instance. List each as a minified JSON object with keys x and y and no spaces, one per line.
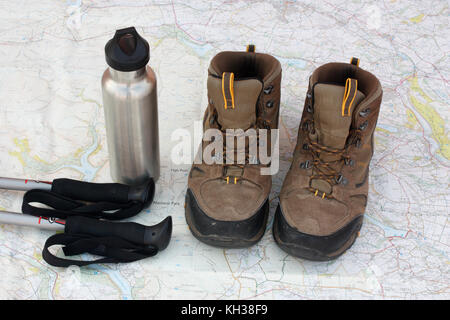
{"x":227,"y":204}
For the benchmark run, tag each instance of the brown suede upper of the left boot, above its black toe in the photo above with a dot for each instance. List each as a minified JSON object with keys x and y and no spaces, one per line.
{"x":254,"y":73}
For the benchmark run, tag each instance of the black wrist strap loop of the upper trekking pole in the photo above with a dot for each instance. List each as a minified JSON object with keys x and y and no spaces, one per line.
{"x":63,"y":207}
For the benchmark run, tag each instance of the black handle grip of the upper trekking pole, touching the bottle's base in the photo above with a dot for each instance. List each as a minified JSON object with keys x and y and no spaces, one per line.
{"x":108,"y":192}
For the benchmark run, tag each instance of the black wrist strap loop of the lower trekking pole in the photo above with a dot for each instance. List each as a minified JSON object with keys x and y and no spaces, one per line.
{"x":113,"y":249}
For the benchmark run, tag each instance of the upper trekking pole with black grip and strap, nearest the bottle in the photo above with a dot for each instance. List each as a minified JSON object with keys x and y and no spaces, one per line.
{"x":112,"y":201}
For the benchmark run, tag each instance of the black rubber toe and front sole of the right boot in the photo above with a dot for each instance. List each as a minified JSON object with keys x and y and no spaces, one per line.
{"x":311,"y":247}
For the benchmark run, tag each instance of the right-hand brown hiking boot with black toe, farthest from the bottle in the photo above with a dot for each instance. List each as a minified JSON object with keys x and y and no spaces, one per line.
{"x":324,"y":194}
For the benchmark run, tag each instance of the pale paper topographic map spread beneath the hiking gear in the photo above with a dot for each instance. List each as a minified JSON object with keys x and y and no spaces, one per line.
{"x":52,"y":125}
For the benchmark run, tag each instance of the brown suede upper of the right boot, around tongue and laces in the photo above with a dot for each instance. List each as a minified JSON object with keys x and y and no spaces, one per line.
{"x":306,"y":211}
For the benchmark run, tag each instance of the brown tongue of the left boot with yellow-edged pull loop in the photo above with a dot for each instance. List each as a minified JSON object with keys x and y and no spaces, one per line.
{"x":234,"y":100}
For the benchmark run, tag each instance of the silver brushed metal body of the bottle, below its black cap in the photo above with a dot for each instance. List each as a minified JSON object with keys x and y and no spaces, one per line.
{"x":131,"y":117}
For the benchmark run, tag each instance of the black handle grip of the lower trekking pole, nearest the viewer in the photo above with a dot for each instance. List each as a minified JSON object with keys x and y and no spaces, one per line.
{"x":158,"y":235}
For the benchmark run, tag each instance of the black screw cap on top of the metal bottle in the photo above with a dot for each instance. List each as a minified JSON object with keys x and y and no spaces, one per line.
{"x":127,"y":50}
